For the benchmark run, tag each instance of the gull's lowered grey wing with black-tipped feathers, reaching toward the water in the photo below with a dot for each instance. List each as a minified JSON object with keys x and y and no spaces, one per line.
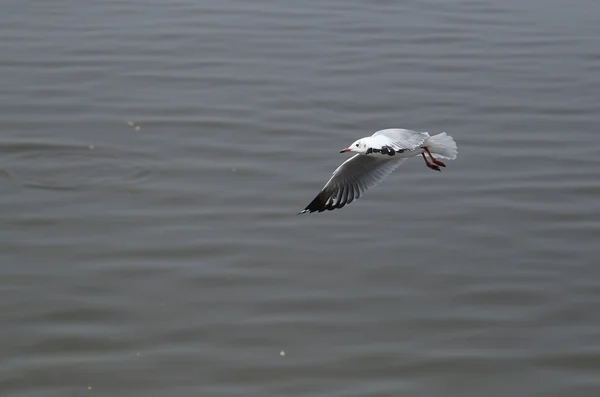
{"x":351,"y":179}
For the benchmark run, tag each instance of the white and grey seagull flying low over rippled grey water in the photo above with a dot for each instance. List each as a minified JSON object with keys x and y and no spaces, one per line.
{"x":376,"y":157}
